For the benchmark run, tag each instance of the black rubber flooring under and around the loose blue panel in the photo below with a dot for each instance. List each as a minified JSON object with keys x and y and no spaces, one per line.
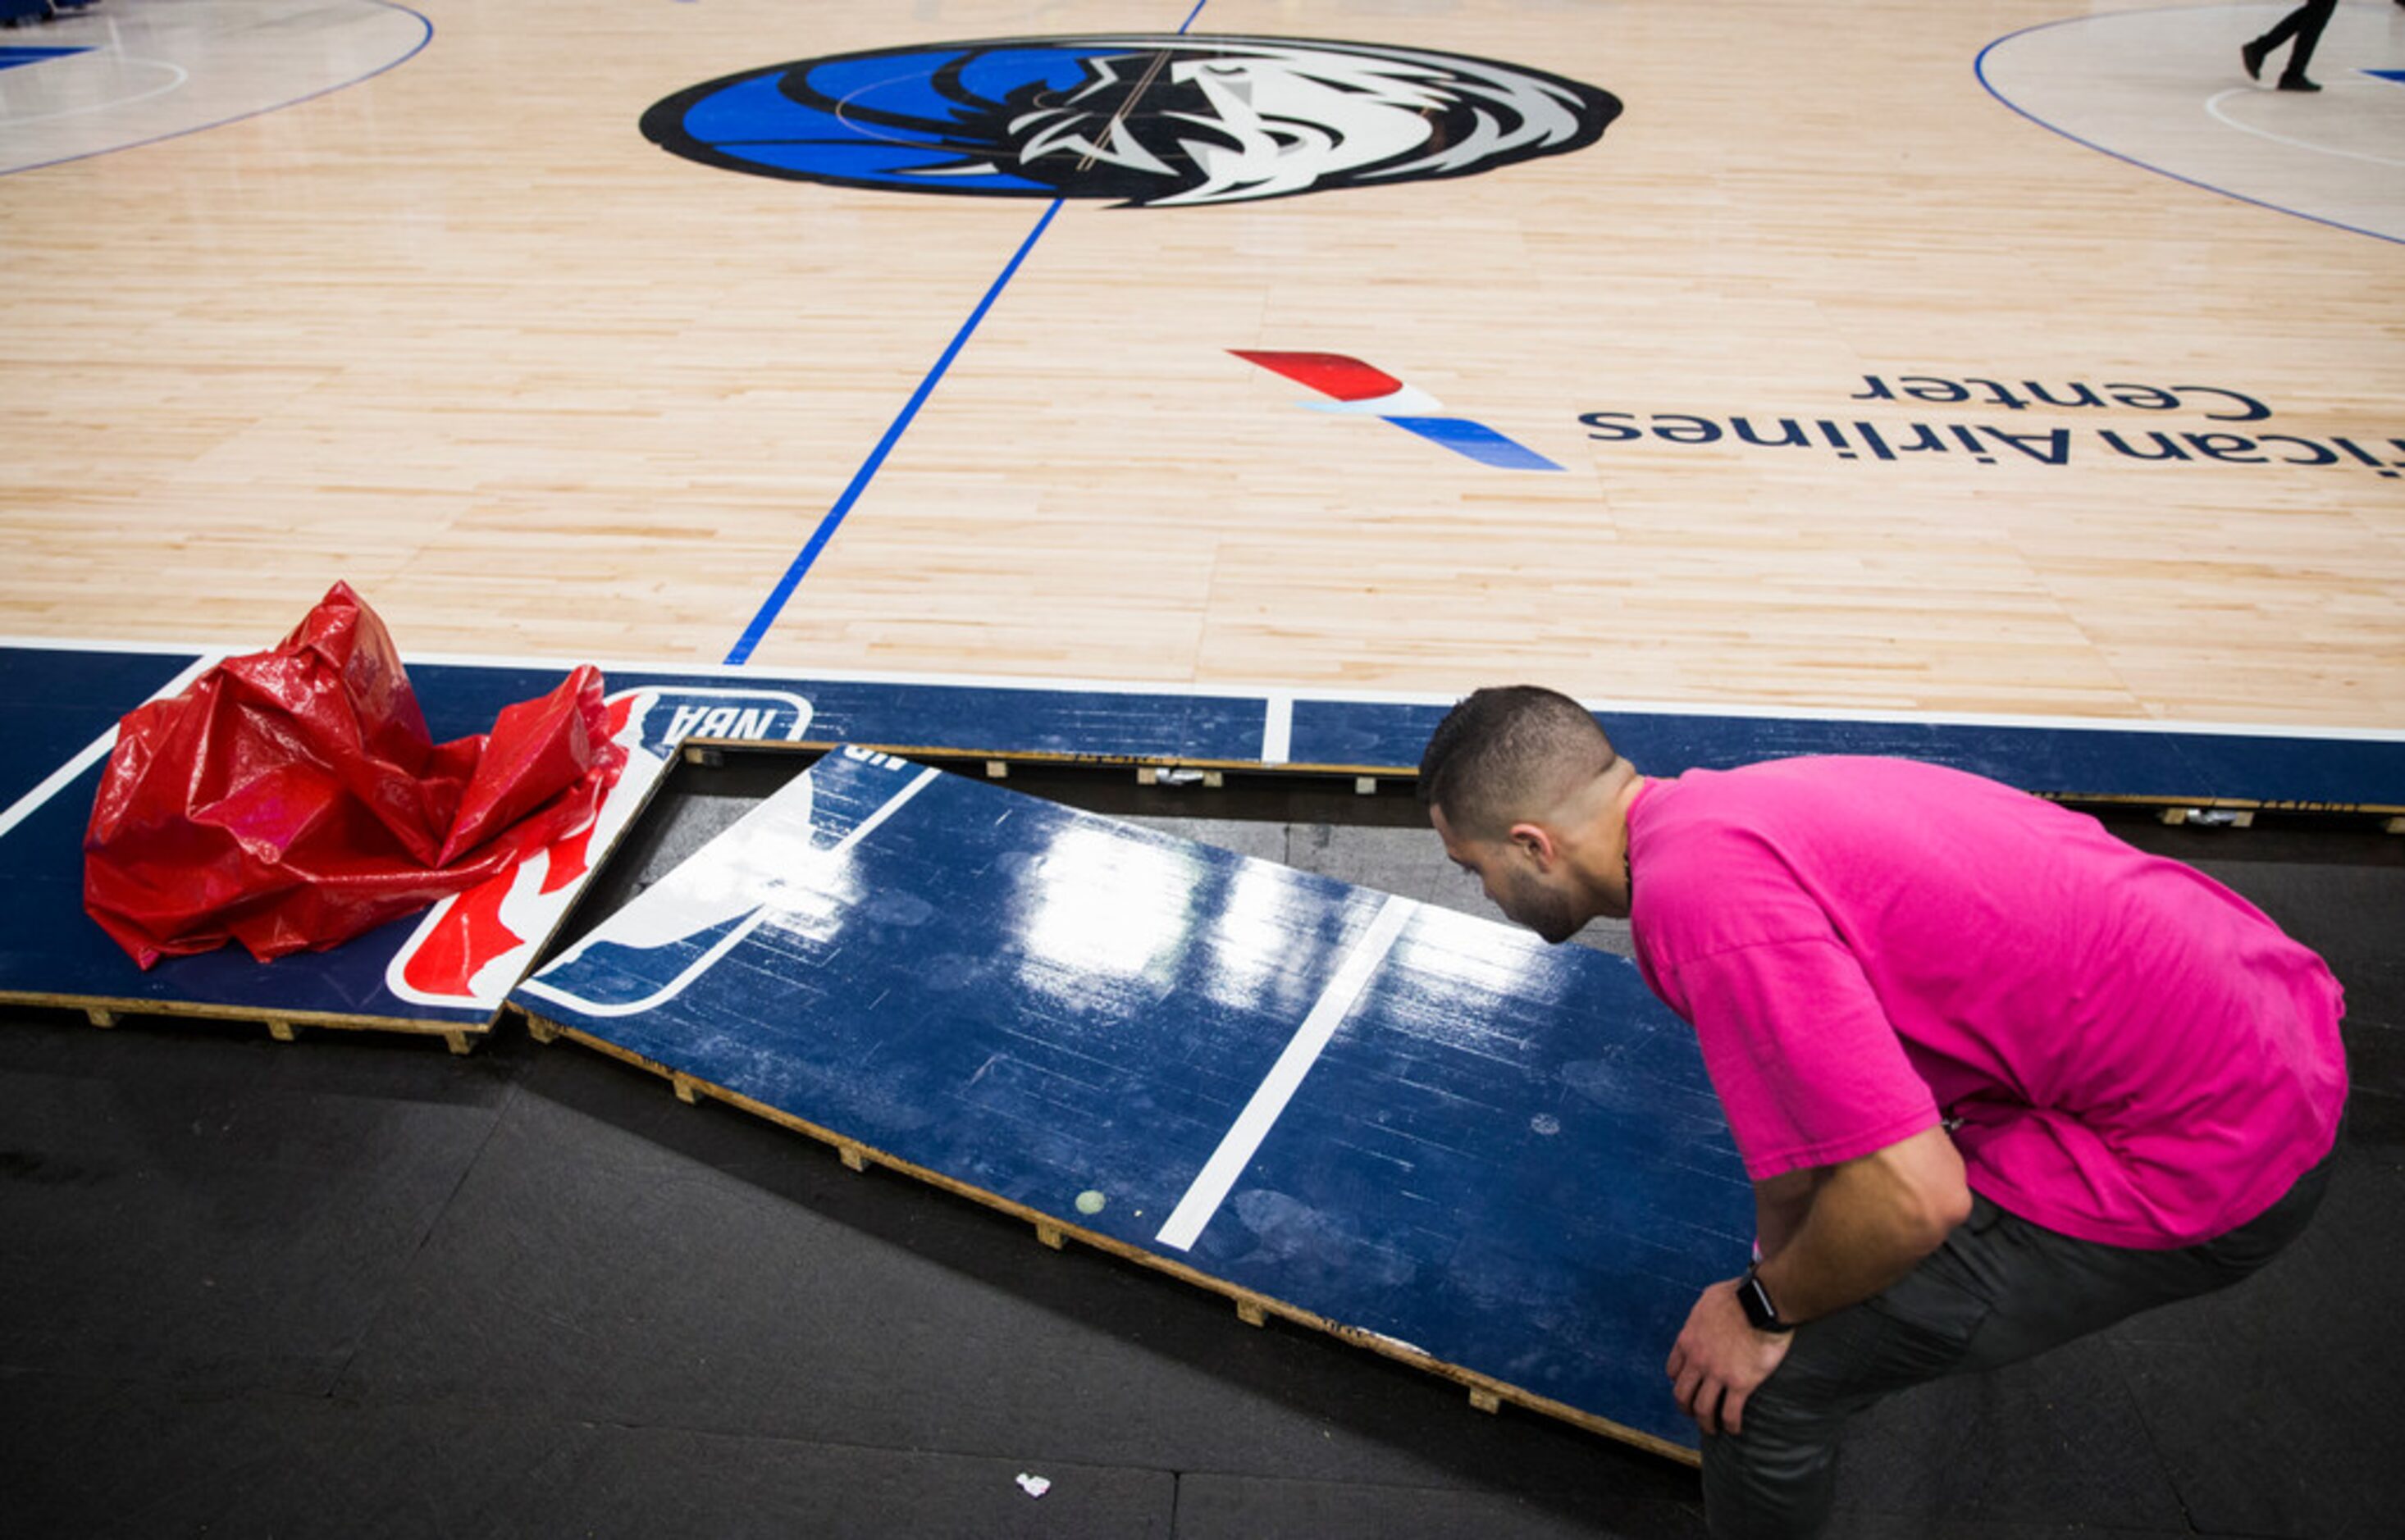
{"x":360,"y":1287}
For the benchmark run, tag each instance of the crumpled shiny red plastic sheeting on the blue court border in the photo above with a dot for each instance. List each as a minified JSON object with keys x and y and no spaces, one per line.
{"x":292,"y":799}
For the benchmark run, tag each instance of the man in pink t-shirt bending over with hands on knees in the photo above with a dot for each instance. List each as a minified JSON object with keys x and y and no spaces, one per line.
{"x":1997,"y":1078}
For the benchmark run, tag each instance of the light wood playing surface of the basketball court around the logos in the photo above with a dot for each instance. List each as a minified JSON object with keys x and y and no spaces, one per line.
{"x":463,"y":338}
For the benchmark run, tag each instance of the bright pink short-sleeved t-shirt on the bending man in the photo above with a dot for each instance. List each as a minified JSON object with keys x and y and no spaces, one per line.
{"x":1867,"y":948}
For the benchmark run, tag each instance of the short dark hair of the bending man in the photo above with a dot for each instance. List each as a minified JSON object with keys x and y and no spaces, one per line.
{"x":1504,"y":753}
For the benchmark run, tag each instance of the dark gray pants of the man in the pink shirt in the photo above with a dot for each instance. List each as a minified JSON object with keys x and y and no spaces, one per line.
{"x":1997,"y":1291}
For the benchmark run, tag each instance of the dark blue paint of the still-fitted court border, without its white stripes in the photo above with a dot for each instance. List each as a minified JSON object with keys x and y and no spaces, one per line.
{"x":54,"y":703}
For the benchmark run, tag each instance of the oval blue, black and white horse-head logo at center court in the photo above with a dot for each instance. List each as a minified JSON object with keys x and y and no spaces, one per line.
{"x":1151,"y":121}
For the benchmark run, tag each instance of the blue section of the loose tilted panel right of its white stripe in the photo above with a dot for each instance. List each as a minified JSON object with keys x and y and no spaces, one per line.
{"x":1512,"y":1159}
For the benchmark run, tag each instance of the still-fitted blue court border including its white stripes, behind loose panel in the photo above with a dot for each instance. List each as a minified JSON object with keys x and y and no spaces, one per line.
{"x":57,"y":698}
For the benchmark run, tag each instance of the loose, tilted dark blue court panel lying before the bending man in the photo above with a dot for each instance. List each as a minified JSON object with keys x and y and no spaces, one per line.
{"x":1509,"y":1157}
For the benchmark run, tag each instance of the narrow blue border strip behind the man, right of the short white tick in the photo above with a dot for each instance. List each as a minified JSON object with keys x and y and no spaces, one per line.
{"x":2094,"y":763}
